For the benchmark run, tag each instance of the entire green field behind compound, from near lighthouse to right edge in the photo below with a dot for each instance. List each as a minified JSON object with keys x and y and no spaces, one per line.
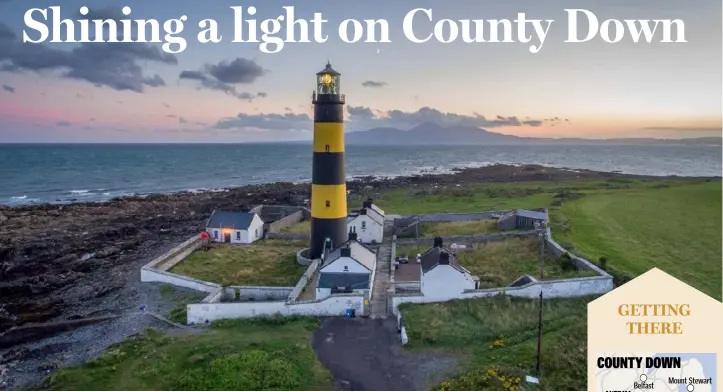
{"x":672,"y":224}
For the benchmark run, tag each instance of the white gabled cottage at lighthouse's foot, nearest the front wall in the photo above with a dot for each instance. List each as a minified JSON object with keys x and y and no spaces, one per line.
{"x":346,"y":269}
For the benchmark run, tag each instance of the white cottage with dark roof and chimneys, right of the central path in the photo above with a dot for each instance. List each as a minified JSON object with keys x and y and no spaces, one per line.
{"x":442,"y":277}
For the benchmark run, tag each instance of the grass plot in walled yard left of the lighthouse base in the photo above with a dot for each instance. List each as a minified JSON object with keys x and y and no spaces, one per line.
{"x":264,"y":263}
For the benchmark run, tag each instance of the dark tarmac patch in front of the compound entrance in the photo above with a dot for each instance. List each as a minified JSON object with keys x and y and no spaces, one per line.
{"x":365,"y":354}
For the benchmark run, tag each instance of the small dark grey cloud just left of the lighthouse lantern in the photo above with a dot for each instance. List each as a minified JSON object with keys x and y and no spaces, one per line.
{"x":226,"y":74}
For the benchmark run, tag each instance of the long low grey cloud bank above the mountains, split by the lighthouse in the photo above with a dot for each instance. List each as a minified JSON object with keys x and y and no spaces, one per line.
{"x":362,"y":118}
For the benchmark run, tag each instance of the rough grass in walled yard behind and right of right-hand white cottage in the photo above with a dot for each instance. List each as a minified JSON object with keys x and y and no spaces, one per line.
{"x":499,"y":263}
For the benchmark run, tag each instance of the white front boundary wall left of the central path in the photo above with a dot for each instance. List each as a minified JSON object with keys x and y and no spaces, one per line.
{"x":335,"y":305}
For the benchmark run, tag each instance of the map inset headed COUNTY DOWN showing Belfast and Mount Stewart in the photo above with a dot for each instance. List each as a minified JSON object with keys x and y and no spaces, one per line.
{"x":669,"y":372}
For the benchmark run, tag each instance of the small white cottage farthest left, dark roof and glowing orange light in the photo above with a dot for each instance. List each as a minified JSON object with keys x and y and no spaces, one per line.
{"x":235,"y":227}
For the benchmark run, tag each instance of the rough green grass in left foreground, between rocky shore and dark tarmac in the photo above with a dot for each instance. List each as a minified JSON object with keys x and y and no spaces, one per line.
{"x":249,"y":355}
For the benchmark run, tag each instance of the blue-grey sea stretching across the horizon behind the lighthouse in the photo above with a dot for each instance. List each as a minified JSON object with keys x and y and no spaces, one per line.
{"x":67,"y":173}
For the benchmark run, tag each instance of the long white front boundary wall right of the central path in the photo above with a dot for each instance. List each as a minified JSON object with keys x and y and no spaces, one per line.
{"x":561,"y":288}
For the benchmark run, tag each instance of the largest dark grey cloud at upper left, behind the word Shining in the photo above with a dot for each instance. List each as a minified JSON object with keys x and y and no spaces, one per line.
{"x":114,"y":65}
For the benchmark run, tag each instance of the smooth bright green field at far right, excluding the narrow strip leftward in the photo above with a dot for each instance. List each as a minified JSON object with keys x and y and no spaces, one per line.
{"x":676,"y":229}
